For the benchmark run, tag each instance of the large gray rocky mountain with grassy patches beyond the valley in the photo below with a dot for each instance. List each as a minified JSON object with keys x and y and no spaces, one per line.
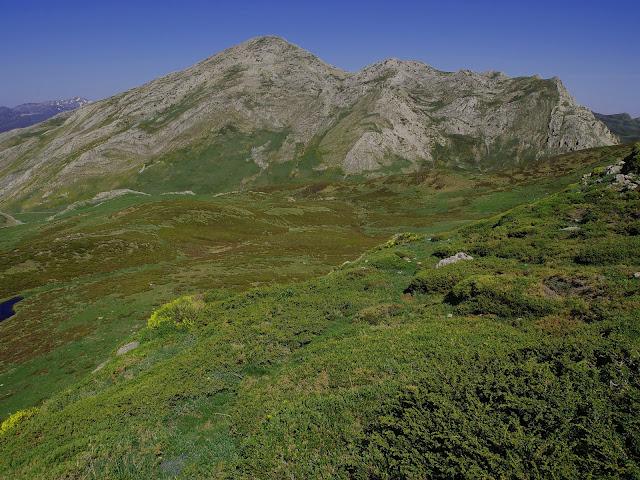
{"x":283,"y":108}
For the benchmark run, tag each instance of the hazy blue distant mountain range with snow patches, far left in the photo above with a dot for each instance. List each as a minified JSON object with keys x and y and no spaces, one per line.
{"x":30,"y":113}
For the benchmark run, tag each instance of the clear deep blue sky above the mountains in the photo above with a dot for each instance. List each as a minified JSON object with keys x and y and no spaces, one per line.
{"x":54,"y":49}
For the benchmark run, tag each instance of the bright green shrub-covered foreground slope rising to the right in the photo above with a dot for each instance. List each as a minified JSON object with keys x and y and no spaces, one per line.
{"x":522,"y":363}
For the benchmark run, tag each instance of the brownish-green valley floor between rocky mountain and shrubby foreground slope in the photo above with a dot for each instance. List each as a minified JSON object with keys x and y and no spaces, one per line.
{"x":92,"y":276}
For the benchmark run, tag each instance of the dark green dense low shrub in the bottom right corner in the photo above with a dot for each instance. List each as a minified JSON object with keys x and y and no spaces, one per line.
{"x":533,"y":415}
